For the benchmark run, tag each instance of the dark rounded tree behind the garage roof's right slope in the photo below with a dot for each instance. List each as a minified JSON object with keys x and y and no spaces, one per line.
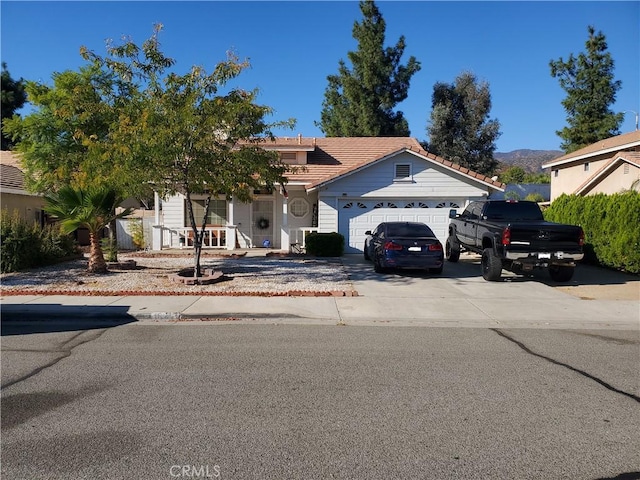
{"x":460,"y":129}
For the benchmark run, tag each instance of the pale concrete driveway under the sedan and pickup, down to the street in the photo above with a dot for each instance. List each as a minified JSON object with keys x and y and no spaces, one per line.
{"x":461,"y":297}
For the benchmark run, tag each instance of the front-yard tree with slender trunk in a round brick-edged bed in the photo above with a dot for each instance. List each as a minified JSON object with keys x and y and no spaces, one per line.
{"x":195,"y":138}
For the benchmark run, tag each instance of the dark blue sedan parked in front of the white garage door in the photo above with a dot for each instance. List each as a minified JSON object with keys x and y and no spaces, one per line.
{"x":410,"y":245}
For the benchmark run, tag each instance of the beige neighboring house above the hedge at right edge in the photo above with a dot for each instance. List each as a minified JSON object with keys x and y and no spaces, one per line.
{"x":608,"y":166}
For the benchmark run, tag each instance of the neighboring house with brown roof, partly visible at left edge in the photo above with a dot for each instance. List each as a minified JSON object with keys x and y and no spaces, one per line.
{"x":13,"y":196}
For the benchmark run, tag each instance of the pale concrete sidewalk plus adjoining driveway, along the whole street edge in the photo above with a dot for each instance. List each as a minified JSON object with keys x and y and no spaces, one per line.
{"x":458,"y":298}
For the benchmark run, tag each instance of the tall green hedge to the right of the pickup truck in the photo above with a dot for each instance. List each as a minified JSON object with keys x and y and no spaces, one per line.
{"x":611,"y":224}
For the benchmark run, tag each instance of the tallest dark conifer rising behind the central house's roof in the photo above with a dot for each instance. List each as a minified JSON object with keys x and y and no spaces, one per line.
{"x":360,"y":102}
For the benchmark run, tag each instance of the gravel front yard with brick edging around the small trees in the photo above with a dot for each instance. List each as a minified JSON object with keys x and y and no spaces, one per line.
{"x":255,"y":275}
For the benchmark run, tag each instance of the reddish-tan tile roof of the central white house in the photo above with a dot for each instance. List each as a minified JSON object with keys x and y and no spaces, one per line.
{"x":335,"y":157}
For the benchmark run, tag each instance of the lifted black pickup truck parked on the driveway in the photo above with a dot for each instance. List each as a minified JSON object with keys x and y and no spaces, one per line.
{"x":513,"y":235}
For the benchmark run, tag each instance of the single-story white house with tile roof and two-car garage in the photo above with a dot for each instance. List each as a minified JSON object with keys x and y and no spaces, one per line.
{"x":345,"y":185}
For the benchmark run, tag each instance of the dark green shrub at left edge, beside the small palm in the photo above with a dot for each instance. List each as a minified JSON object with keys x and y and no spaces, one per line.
{"x":25,"y":245}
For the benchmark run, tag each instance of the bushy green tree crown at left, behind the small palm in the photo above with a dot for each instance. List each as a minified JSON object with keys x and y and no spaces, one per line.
{"x":69,"y":139}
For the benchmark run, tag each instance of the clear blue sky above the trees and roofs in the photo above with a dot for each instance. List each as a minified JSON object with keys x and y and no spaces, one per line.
{"x":294,"y":45}
